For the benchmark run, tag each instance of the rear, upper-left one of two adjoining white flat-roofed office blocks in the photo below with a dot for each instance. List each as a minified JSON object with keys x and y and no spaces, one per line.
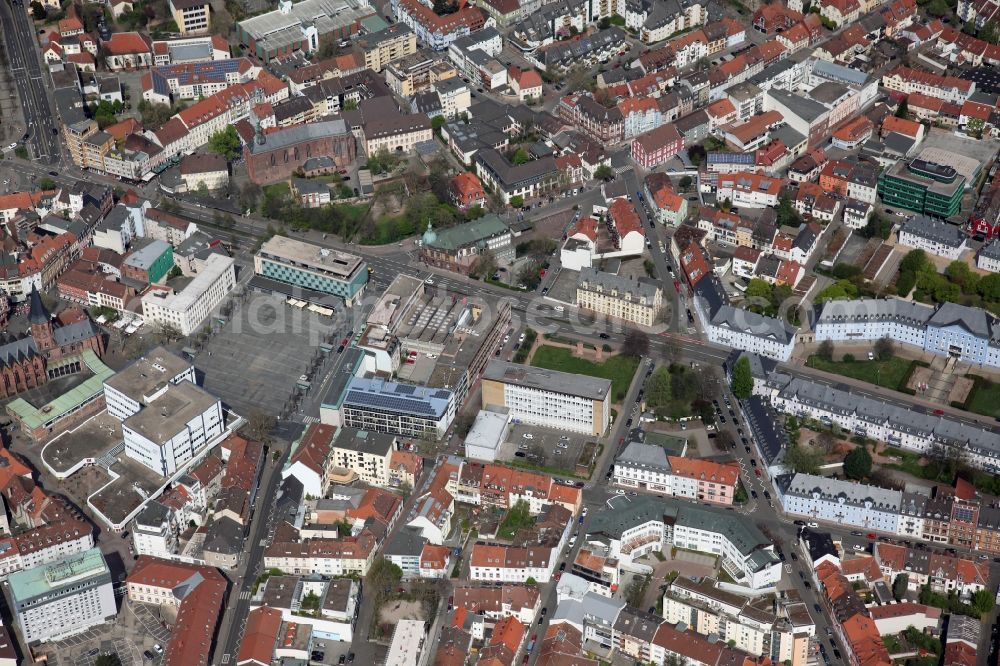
{"x":143,"y":381}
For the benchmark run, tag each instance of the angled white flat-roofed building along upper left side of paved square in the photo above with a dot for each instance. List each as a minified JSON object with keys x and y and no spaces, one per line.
{"x":188,"y":309}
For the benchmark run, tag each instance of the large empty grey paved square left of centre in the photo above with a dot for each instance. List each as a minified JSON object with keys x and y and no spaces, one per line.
{"x":256,"y":358}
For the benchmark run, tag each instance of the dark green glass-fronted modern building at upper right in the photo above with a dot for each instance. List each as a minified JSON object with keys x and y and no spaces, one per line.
{"x":924,"y":187}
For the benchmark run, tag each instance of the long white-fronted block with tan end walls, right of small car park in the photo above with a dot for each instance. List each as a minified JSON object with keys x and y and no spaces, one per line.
{"x":548,"y":398}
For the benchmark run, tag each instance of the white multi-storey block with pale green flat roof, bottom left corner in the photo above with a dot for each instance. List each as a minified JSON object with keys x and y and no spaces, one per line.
{"x":63,"y":598}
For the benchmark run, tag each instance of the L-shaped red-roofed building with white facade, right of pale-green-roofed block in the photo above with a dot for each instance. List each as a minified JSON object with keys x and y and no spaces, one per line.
{"x":197,"y":592}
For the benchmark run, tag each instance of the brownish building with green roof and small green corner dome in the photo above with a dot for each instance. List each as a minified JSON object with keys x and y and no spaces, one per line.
{"x":458,"y":248}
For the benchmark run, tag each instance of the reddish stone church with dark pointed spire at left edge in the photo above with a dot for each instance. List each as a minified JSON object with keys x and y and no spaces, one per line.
{"x":51,"y":349}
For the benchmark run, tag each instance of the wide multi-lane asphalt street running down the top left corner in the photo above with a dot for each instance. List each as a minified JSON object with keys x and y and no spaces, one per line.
{"x":19,"y":40}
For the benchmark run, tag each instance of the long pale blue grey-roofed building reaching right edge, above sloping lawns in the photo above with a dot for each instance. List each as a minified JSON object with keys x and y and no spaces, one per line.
{"x":968,"y":334}
